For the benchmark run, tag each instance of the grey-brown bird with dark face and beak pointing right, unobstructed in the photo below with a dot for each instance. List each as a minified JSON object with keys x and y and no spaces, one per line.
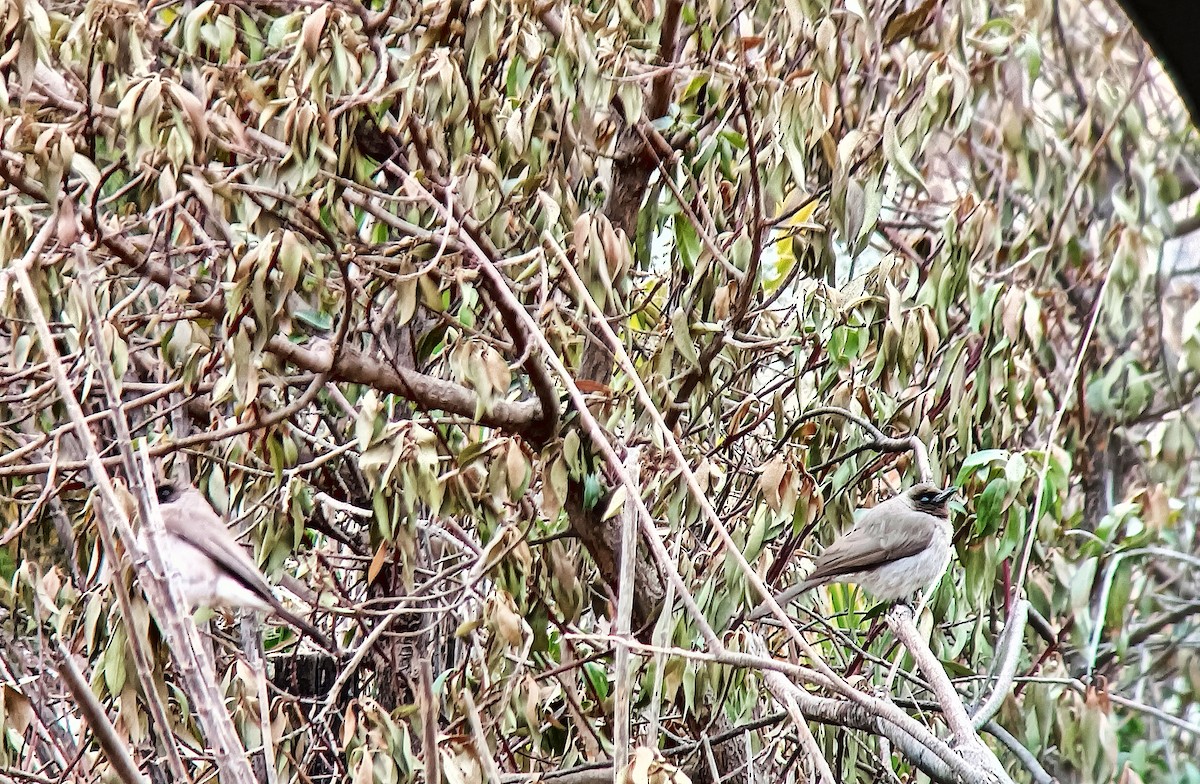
{"x":898,"y":548}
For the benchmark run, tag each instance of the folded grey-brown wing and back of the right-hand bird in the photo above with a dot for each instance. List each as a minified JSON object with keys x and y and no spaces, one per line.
{"x":887,"y":534}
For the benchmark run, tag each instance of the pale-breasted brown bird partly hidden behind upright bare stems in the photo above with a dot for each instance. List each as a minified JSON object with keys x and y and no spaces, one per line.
{"x":215,"y":571}
